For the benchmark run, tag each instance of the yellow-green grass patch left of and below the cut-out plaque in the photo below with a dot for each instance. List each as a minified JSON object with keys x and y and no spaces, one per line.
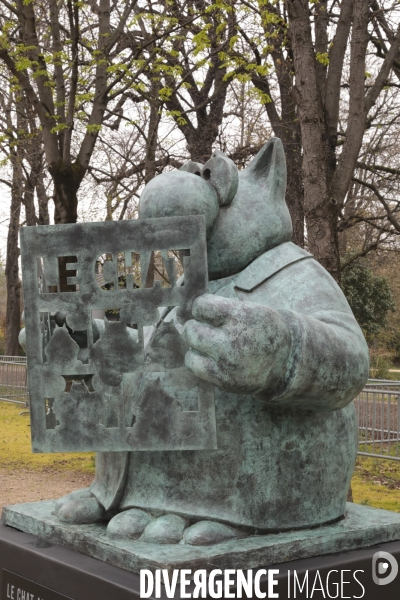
{"x":15,"y":446}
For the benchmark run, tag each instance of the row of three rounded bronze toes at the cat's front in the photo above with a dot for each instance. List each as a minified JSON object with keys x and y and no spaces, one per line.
{"x":137,"y":524}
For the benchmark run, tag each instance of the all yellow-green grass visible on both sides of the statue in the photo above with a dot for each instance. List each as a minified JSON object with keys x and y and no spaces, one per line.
{"x":376,"y":482}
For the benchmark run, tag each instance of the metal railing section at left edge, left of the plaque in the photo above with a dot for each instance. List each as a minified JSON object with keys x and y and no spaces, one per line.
{"x":13,"y":380}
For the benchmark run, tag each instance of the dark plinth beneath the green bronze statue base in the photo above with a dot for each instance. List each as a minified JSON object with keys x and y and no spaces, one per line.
{"x":52,"y":572}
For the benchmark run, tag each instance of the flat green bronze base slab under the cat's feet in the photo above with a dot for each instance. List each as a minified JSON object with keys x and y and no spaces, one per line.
{"x":362,"y":527}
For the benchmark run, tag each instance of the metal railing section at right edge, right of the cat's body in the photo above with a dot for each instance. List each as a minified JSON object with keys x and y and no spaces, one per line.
{"x":378,"y":413}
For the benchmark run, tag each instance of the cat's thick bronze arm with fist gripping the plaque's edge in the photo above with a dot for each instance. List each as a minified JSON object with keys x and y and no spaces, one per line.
{"x":306,"y":351}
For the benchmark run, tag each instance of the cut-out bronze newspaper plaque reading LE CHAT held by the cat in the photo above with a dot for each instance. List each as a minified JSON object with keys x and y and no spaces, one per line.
{"x":104,"y":310}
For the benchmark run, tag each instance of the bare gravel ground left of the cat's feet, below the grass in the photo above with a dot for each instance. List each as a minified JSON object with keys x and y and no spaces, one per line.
{"x":30,"y":486}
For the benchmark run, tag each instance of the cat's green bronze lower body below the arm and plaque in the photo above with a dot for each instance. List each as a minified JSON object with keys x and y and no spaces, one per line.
{"x":272,"y":470}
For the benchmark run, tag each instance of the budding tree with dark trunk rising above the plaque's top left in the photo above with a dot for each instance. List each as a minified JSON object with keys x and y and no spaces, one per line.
{"x":73,"y":65}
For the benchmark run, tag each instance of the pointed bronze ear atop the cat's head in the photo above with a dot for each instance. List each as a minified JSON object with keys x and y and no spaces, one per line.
{"x":268,"y":167}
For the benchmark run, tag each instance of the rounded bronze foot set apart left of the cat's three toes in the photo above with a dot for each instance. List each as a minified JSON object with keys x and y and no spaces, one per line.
{"x":79,"y":508}
